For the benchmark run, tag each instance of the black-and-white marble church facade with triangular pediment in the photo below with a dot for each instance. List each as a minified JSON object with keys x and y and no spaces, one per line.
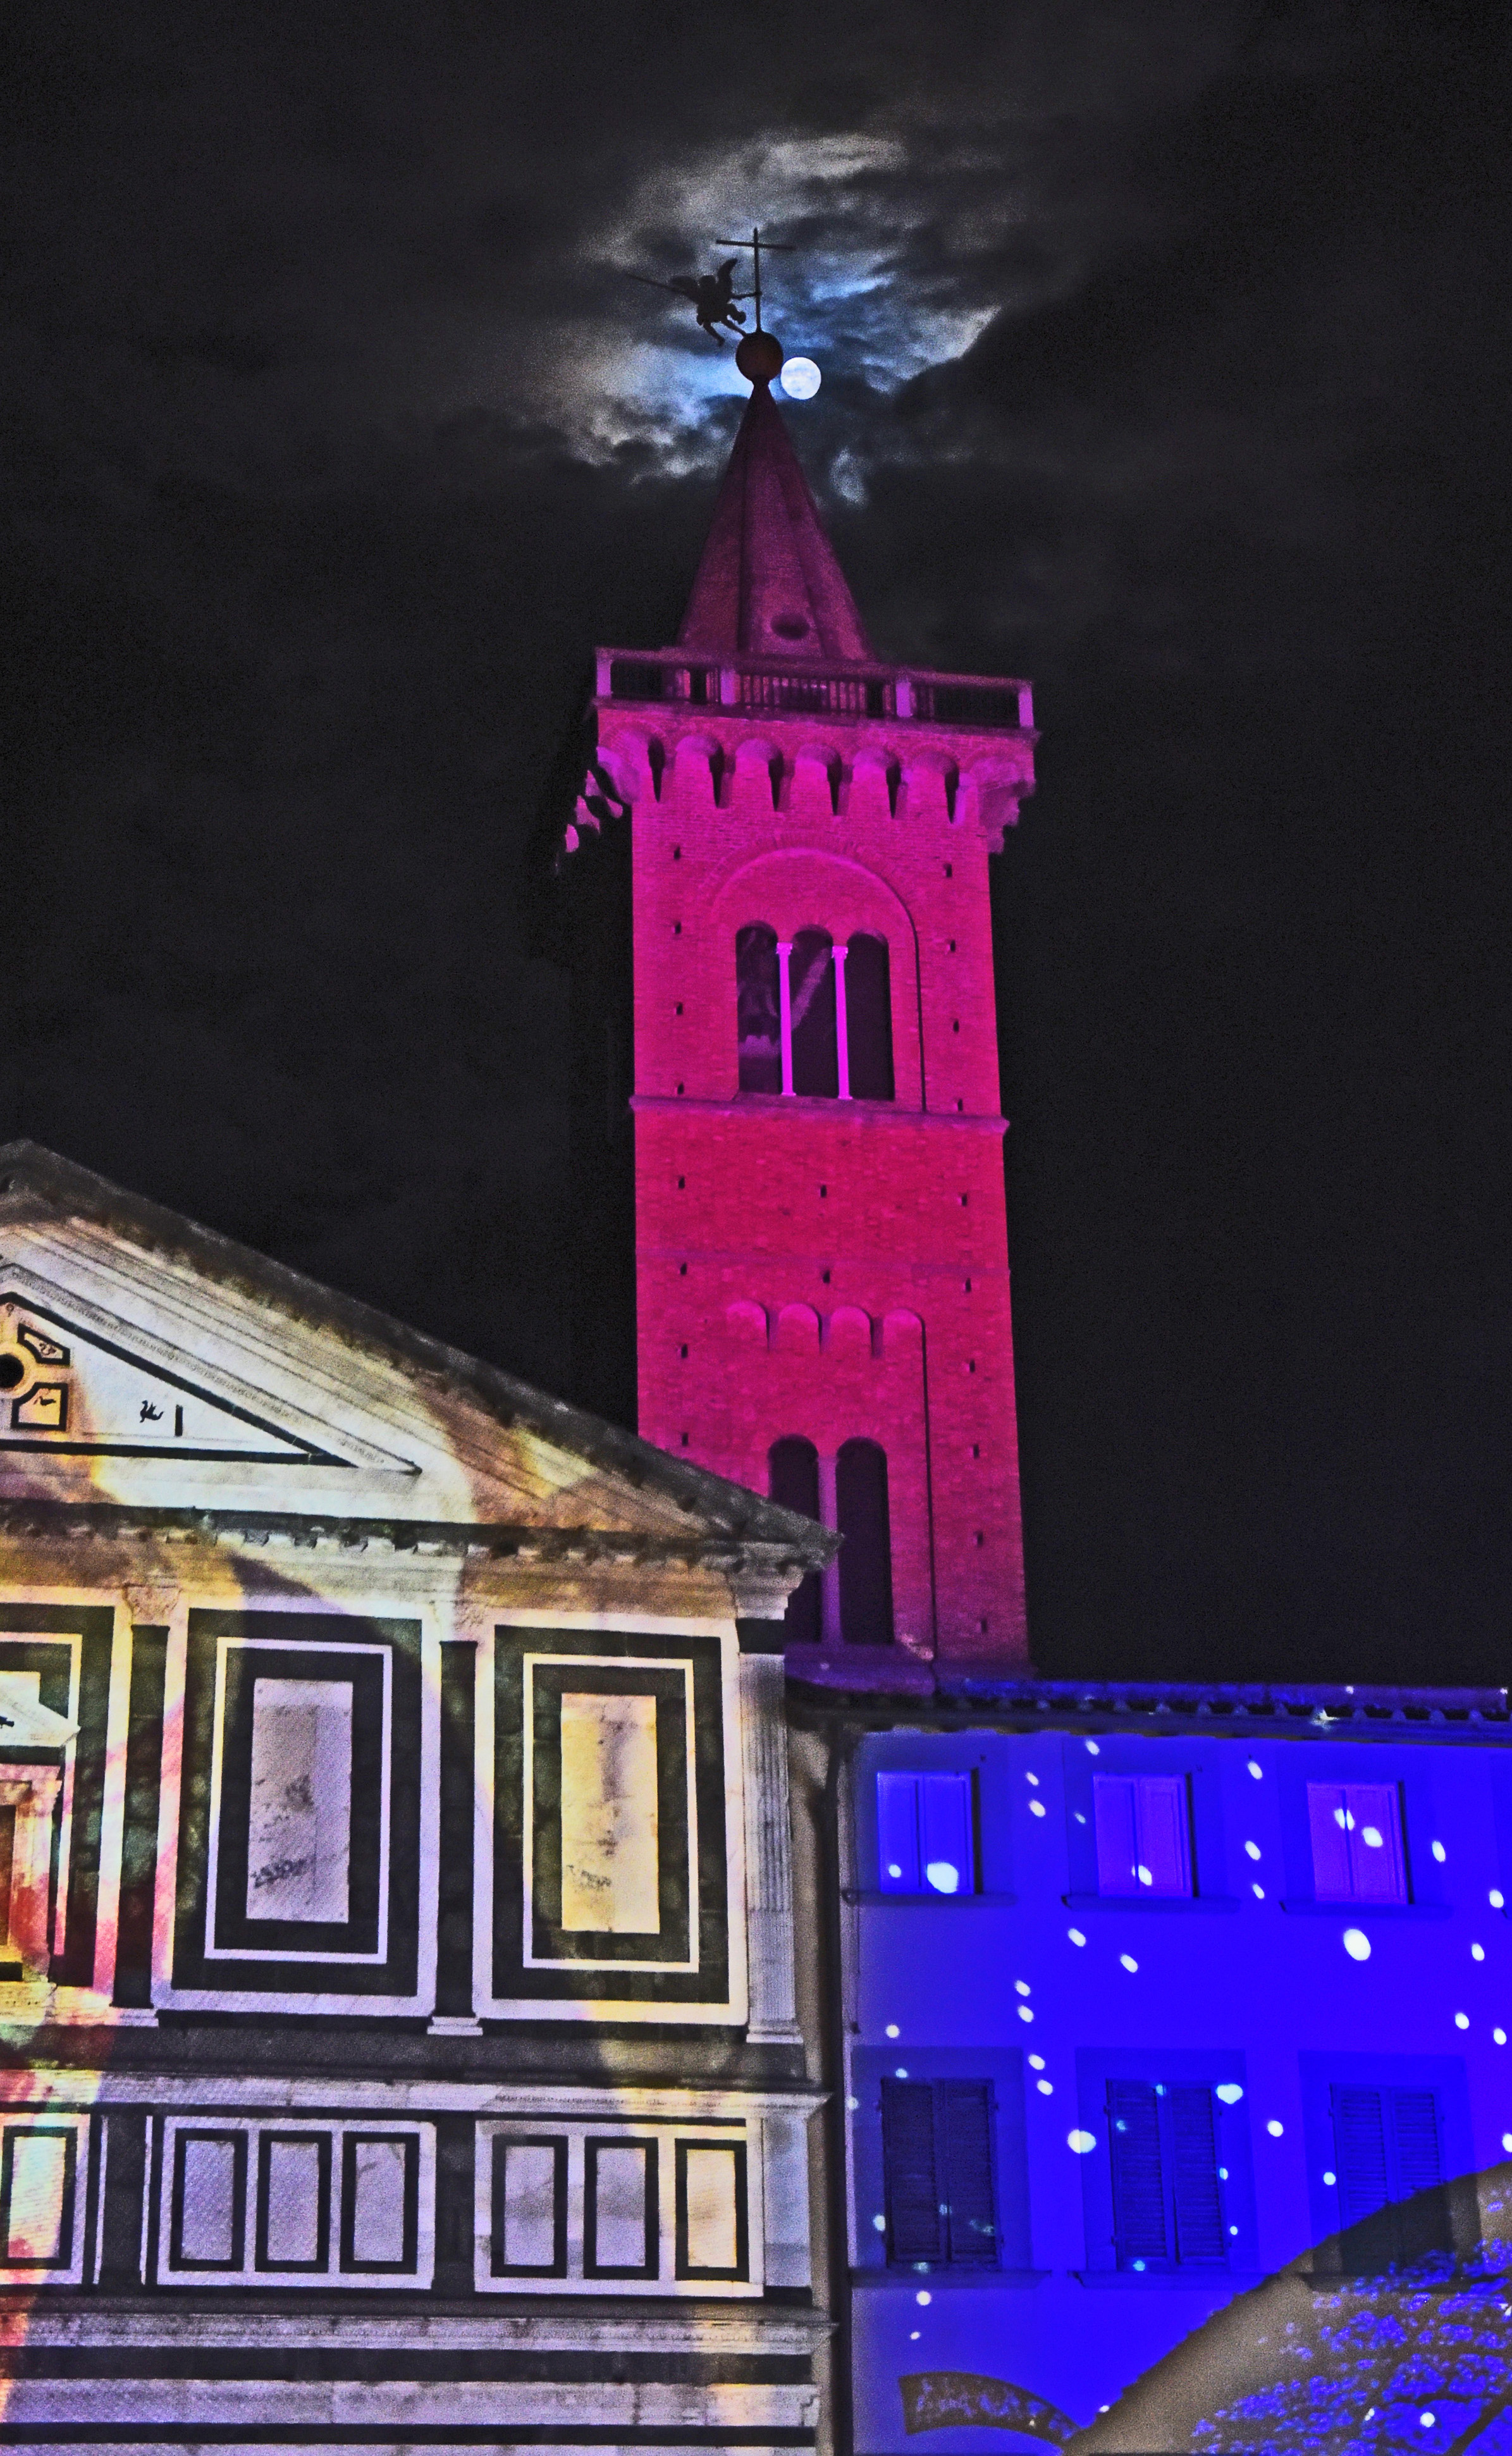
{"x":399,"y":2018}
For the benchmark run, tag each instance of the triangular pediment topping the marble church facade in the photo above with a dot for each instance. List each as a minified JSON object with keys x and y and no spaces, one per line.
{"x":153,"y":1364}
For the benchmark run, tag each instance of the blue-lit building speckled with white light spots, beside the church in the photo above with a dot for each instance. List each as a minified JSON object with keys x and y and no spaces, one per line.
{"x":1143,"y":1995}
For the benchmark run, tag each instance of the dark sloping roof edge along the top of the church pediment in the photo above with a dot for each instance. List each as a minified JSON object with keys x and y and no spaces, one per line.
{"x":728,"y":1509}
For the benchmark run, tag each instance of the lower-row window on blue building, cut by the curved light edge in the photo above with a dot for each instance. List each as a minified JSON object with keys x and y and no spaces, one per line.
{"x":1390,"y":2165}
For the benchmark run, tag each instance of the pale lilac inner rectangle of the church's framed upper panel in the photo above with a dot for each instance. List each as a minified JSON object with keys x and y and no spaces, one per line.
{"x":301,"y":1801}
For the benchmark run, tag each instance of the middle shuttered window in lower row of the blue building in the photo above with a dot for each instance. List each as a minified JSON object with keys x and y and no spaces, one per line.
{"x":1167,"y":2194}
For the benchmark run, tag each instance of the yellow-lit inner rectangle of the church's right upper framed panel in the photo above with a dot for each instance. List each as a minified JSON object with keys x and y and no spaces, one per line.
{"x":610,"y":1816}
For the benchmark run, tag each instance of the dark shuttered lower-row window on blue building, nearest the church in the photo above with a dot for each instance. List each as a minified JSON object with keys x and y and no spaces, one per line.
{"x":936,"y":2150}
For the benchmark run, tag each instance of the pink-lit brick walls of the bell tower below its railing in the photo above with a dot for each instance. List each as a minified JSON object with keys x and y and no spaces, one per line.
{"x":814,"y":1266}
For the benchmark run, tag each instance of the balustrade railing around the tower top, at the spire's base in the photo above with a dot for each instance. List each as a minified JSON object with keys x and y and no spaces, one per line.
{"x":760,"y":684}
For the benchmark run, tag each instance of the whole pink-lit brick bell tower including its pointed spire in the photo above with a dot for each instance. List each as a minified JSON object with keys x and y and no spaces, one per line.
{"x":821,"y":1224}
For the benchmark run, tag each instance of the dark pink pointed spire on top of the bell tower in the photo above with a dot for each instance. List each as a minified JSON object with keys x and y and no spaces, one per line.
{"x":769,"y":583}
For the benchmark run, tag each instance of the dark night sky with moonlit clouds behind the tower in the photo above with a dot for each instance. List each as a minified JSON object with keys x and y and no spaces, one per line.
{"x":1165,"y":362}
